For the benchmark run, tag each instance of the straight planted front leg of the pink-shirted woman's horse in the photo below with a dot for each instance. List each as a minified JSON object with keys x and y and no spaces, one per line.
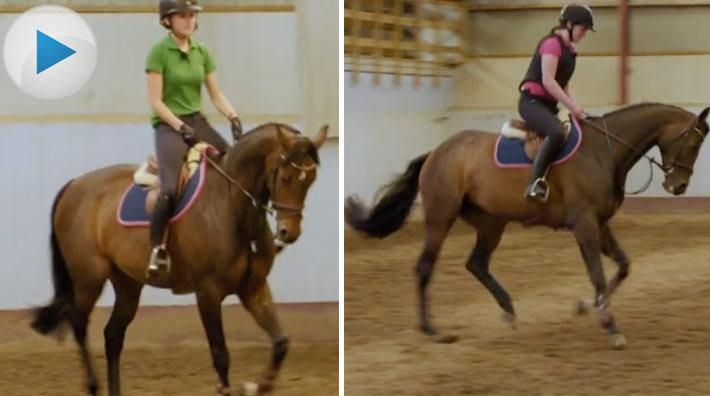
{"x":588,"y":234}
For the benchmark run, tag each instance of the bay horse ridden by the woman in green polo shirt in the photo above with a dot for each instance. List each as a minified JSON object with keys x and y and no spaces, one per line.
{"x":223,"y":245}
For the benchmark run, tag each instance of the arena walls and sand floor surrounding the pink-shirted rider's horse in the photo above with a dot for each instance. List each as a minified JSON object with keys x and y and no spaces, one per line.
{"x":418,"y":72}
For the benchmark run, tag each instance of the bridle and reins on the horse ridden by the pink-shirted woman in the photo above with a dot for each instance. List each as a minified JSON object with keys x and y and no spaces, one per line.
{"x":666,"y":169}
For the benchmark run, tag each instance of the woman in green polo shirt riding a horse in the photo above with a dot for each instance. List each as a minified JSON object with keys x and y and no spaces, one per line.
{"x":177,"y":66}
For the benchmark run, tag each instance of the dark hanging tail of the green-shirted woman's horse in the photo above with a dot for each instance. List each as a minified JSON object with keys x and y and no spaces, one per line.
{"x":48,"y":318}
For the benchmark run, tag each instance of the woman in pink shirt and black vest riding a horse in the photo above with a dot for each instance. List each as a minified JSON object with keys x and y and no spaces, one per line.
{"x":546,"y":83}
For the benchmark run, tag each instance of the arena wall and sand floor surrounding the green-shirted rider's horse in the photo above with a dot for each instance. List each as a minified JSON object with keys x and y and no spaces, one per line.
{"x":274,"y":64}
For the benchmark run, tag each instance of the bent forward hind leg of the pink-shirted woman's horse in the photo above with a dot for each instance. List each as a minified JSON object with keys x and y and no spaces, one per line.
{"x":490,"y":230}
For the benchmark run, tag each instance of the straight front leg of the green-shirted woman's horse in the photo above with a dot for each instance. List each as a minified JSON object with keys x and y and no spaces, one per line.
{"x":209,"y":303}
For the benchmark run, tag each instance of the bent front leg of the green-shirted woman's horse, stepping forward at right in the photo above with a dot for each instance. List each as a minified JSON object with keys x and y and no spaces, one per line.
{"x":260,"y":305}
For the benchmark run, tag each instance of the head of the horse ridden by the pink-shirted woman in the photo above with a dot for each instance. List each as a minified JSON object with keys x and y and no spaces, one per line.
{"x":679,"y":151}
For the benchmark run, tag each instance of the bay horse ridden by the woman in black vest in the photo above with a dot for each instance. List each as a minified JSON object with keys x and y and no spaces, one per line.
{"x":459,"y":179}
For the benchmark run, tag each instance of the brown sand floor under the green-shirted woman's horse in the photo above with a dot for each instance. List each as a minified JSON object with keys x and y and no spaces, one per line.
{"x":166,"y":353}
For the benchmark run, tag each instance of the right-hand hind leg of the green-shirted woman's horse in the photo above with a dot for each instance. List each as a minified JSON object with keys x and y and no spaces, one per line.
{"x":128,"y":293}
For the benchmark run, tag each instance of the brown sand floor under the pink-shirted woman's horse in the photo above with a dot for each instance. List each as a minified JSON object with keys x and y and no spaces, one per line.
{"x":663,"y":308}
